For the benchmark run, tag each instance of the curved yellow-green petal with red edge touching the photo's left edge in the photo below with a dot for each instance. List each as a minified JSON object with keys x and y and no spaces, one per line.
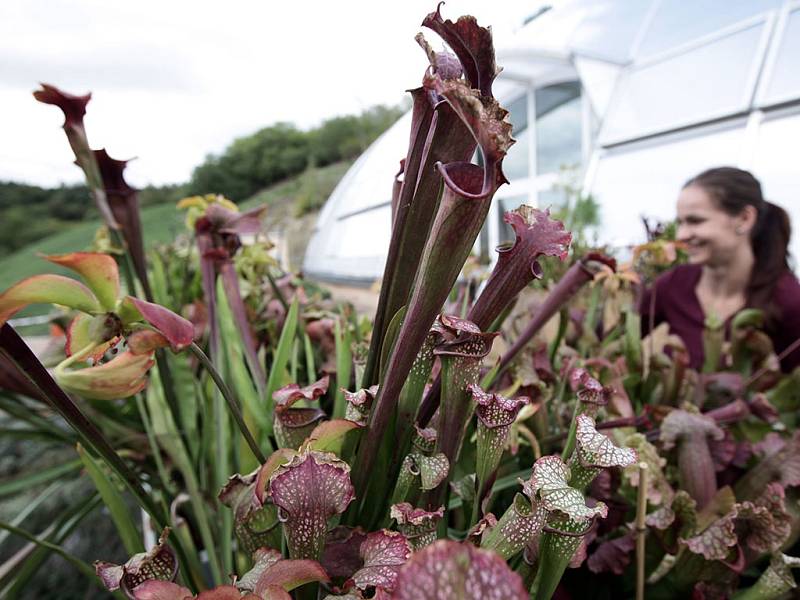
{"x":47,"y":289}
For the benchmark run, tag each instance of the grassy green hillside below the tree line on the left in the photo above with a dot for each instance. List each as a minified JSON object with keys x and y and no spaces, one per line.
{"x":161,"y":223}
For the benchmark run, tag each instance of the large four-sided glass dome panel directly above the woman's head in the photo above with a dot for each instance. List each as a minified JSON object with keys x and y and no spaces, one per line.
{"x":705,"y":83}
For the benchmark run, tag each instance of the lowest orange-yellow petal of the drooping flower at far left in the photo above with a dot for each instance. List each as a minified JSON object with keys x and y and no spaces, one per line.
{"x":121,"y":377}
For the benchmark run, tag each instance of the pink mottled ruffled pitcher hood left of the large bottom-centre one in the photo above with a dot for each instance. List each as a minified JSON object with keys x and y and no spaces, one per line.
{"x":382,"y":553}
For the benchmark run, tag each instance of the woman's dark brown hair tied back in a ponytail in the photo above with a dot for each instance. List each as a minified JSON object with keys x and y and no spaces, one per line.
{"x":733,"y":189}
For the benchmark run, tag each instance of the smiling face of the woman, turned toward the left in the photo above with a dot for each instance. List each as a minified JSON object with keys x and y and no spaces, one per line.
{"x":711,"y":235}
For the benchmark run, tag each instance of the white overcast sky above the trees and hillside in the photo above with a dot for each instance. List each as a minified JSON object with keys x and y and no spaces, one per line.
{"x":173,"y":81}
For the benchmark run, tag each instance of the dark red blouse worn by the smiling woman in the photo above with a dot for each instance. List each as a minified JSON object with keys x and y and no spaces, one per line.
{"x":676,"y":303}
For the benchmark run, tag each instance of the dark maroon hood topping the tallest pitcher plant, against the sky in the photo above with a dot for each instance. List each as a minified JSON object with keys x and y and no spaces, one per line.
{"x":472,"y":45}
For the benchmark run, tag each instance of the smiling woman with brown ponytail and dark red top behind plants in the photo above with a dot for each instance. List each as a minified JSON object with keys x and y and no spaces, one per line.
{"x":737,"y":244}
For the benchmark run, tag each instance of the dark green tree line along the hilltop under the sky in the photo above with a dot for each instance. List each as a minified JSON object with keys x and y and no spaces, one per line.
{"x":248,"y":164}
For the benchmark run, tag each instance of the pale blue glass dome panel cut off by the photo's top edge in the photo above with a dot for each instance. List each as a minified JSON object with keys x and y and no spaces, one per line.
{"x":678,"y":21}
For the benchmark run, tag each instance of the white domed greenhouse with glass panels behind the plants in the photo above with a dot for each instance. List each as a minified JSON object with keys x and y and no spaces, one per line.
{"x":633,"y":96}
